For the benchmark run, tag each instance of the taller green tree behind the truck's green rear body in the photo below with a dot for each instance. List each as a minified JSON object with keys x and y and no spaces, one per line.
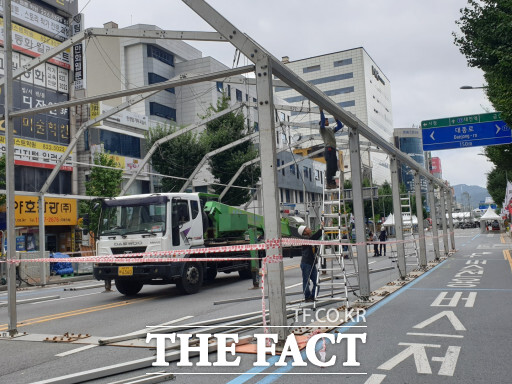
{"x":224,"y":165}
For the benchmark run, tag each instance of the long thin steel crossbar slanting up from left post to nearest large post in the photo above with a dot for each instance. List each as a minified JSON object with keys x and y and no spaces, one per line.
{"x":185,"y":79}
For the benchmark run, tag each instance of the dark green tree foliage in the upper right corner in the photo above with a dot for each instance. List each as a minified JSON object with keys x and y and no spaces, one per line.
{"x":486,"y":41}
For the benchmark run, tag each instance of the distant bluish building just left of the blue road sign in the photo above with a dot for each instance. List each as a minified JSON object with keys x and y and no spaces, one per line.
{"x":409,"y":141}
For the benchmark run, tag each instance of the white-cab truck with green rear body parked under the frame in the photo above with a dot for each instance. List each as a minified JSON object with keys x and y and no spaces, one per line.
{"x":177,"y":221}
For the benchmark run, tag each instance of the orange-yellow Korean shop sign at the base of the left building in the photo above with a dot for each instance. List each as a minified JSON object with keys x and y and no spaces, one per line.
{"x":56,"y":211}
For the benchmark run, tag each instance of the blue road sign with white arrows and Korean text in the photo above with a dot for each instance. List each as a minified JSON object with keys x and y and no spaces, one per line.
{"x":464,"y":133}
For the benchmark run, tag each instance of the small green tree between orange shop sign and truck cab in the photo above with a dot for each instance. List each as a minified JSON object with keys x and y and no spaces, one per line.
{"x":102,"y":182}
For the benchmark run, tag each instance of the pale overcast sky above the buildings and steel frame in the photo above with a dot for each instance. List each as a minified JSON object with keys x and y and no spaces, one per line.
{"x":410,"y":40}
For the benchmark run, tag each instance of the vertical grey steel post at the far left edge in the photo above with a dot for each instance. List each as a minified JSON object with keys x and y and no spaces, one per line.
{"x":9,"y":172}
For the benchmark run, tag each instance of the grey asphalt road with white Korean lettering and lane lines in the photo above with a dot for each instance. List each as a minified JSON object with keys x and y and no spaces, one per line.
{"x":405,"y":341}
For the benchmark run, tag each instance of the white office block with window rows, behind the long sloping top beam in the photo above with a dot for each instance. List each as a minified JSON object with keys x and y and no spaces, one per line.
{"x":355,"y":82}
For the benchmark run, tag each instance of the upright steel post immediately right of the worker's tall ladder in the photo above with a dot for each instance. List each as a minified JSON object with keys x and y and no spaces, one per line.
{"x":357,"y":187}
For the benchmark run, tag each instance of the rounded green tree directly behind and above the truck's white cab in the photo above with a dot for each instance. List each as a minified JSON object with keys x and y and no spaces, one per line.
{"x":177,"y":157}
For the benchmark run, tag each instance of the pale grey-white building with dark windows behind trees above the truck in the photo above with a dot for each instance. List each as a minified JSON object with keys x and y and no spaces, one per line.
{"x":134,"y":62}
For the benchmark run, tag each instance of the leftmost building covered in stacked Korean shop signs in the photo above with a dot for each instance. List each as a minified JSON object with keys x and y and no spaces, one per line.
{"x":41,"y":139}
